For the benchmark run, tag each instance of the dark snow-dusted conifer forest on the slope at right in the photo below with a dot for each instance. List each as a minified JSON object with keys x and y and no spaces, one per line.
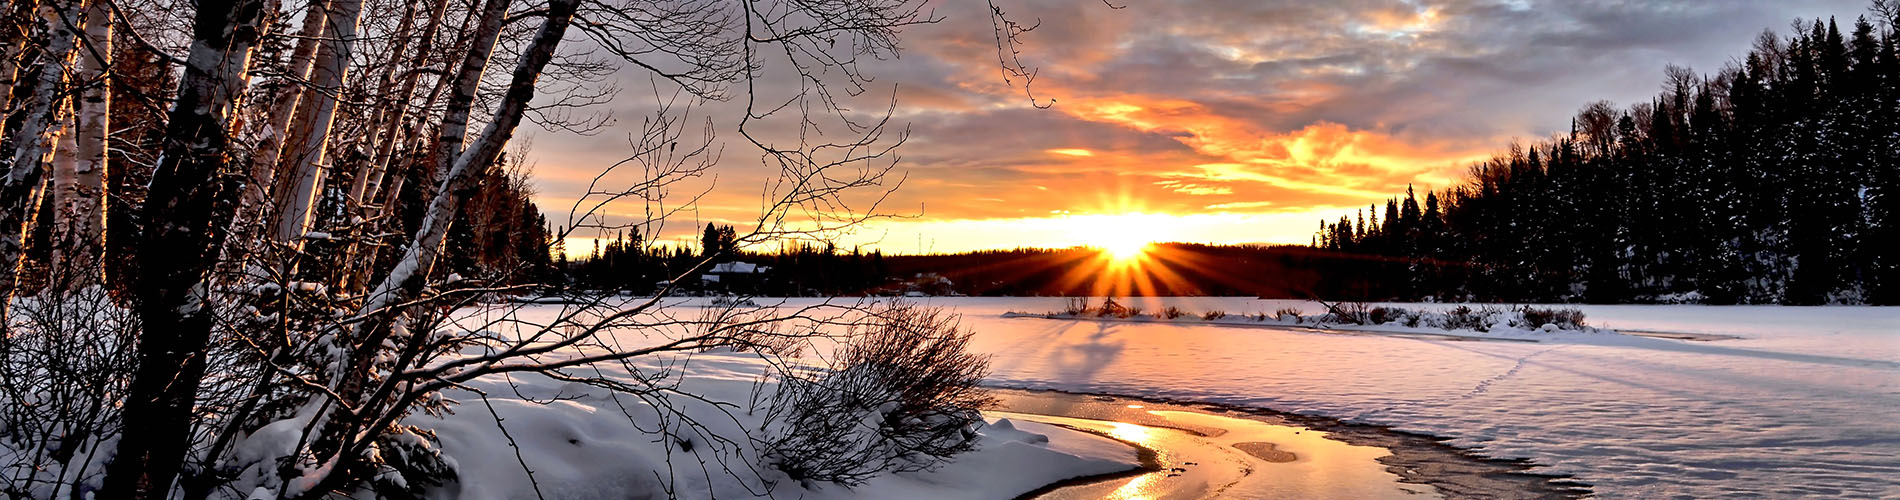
{"x":1774,"y":182}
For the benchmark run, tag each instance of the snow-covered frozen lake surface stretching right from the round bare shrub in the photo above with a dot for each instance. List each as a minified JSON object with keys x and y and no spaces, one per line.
{"x":1806,"y":402}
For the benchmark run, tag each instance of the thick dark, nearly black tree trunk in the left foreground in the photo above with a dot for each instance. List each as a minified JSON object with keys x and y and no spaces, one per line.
{"x":191,"y":199}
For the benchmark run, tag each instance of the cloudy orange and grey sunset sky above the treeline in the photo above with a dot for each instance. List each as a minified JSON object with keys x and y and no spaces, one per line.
{"x":1198,"y":121}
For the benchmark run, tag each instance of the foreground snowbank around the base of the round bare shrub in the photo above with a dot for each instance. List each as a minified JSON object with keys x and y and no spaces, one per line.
{"x":584,"y":442}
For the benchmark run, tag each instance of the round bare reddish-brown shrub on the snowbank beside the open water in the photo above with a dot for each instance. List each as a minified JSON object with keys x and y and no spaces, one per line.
{"x":900,"y":396}
